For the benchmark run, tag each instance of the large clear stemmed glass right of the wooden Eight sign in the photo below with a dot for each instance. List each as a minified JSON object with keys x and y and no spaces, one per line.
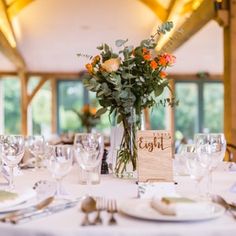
{"x":211,"y":150}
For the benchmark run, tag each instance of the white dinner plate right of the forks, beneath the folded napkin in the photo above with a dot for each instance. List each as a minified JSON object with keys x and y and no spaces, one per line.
{"x":141,"y":208}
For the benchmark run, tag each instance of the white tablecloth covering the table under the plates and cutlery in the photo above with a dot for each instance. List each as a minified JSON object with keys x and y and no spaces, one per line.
{"x":67,"y":223}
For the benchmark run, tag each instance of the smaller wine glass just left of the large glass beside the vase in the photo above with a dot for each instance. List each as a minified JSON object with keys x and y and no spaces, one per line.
{"x":60,"y":163}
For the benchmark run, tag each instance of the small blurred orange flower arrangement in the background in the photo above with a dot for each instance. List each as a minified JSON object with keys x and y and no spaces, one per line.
{"x":88,"y":117}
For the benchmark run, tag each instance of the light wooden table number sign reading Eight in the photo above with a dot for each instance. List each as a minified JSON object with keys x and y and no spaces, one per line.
{"x":154,"y":156}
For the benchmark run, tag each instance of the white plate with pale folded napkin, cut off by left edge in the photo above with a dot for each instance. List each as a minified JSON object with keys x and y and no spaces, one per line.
{"x":9,"y":199}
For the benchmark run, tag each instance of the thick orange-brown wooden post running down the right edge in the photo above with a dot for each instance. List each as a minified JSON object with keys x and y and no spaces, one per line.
{"x":230,"y":75}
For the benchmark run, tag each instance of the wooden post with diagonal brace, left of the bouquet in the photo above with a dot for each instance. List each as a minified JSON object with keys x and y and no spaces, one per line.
{"x":24,"y":102}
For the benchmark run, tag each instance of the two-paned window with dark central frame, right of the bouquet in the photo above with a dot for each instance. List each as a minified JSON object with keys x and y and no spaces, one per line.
{"x":200,"y":108}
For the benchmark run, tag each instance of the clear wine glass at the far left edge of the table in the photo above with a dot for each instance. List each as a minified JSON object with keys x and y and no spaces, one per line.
{"x":12,"y":150}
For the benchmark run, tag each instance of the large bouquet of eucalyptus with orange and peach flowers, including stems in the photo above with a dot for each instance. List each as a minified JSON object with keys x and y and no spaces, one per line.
{"x":127,"y":80}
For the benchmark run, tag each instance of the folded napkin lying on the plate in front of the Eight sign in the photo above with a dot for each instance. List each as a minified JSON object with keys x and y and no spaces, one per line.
{"x":178,"y":206}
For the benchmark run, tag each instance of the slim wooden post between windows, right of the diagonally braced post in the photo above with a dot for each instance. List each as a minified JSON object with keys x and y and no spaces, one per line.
{"x":54,"y":106}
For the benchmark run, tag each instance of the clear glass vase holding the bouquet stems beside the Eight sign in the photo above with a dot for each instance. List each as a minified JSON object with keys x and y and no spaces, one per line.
{"x":126,"y":156}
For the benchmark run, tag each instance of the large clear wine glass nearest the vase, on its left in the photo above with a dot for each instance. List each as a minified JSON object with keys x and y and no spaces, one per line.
{"x":89,"y":151}
